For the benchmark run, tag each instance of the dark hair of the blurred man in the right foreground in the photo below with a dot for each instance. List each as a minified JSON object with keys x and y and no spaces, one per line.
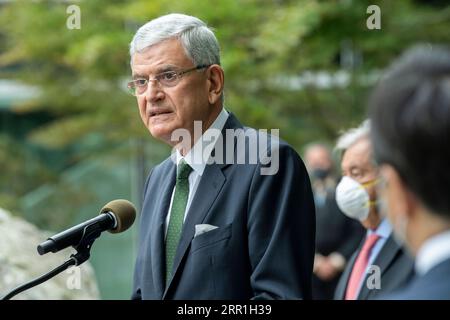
{"x":410,"y":113}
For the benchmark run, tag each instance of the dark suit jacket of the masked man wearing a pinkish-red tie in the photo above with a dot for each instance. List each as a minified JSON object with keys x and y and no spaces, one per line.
{"x":396,"y":267}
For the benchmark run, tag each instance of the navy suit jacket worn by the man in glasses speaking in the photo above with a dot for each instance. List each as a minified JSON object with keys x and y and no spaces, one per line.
{"x":263,"y":248}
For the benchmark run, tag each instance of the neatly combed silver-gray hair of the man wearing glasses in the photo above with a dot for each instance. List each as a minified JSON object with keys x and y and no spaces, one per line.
{"x":198,"y":41}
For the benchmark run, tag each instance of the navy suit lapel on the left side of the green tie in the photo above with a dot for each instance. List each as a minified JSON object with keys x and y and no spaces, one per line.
{"x":157,"y":238}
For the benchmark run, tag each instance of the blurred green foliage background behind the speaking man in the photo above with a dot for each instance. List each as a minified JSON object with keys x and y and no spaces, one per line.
{"x":71,"y":138}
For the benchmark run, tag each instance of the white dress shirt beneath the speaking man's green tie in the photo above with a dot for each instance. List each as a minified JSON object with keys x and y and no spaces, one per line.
{"x":195,"y":160}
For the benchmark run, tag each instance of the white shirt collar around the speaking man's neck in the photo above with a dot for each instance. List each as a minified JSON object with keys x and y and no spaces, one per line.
{"x":199,"y":165}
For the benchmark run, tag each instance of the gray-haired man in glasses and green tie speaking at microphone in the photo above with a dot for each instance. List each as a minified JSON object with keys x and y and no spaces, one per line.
{"x":216,"y":222}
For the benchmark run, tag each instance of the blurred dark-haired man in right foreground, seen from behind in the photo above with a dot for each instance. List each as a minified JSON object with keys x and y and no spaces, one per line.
{"x":410,"y":112}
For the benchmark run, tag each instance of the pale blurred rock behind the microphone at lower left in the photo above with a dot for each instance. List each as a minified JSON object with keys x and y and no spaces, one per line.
{"x":20,"y":263}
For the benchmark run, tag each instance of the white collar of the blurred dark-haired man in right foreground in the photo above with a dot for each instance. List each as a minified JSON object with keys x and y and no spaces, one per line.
{"x":433,"y":251}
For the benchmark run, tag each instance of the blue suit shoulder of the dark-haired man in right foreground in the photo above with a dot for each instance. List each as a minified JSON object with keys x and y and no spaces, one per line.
{"x":433,"y":285}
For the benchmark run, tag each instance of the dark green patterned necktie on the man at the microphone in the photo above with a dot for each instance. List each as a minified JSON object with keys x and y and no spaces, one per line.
{"x":177,"y":215}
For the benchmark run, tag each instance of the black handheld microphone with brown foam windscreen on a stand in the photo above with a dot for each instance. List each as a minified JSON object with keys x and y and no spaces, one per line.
{"x":116,"y":216}
